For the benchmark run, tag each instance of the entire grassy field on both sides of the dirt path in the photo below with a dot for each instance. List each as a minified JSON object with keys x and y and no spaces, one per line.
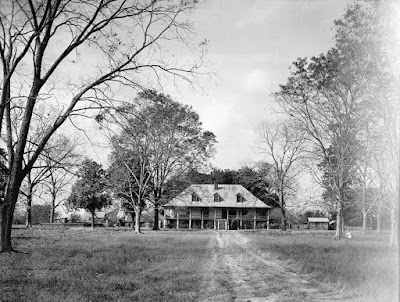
{"x":116,"y":265}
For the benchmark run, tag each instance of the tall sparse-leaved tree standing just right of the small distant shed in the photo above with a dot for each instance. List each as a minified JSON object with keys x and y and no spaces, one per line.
{"x":320,"y":97}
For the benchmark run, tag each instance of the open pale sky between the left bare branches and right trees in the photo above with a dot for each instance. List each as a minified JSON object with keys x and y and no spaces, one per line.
{"x":251,"y":46}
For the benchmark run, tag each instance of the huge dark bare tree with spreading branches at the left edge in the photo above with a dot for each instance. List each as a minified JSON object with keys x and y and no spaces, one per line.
{"x":79,"y":56}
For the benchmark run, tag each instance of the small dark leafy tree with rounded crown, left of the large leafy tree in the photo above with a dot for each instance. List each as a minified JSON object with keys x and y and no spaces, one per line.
{"x":88,"y":191}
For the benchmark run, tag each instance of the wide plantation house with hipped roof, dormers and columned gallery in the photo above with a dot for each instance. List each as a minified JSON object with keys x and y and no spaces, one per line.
{"x":221,"y":207}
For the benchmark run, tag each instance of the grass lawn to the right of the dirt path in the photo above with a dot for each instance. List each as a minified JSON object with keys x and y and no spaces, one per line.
{"x":364,"y":265}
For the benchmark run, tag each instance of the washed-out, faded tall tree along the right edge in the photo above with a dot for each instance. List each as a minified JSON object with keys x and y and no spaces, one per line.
{"x":368,"y":32}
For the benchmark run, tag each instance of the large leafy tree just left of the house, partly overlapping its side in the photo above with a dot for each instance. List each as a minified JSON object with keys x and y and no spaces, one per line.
{"x":168,"y":140}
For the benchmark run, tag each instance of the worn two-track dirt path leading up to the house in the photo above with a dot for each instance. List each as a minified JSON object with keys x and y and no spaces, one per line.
{"x":239,"y":272}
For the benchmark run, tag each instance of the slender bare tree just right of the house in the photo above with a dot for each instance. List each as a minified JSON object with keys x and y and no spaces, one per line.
{"x":282,"y":145}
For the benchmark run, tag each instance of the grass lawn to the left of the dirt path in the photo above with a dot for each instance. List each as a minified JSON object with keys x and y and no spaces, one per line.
{"x":104,"y":265}
